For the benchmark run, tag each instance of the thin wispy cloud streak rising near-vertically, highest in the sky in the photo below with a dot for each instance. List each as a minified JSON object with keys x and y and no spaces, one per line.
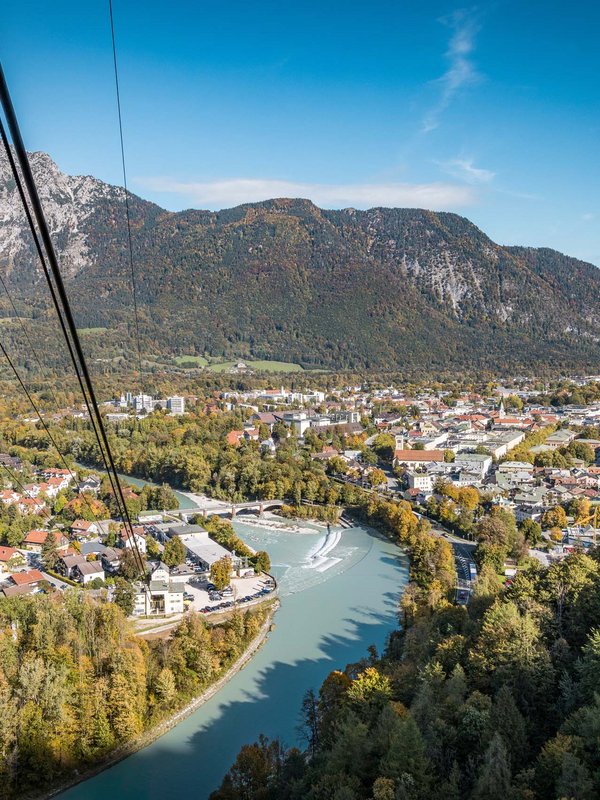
{"x":461,"y":70}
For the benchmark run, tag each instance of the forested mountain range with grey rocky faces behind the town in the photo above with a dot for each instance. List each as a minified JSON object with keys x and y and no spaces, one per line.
{"x":384,"y":289}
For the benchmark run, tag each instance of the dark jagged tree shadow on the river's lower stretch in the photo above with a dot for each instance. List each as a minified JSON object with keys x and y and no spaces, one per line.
{"x":198,"y":763}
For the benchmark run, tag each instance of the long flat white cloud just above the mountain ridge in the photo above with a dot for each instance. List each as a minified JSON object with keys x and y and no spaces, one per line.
{"x":234,"y":191}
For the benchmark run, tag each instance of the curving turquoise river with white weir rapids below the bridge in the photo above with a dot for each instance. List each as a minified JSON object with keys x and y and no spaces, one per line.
{"x":338,"y":596}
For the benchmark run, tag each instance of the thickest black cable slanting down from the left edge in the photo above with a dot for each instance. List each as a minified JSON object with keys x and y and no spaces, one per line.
{"x":60,"y":287}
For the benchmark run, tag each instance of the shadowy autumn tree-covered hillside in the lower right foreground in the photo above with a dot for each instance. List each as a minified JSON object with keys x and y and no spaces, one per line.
{"x":495,"y":701}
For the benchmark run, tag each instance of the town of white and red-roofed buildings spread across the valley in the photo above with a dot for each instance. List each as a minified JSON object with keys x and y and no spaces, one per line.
{"x":537,"y":462}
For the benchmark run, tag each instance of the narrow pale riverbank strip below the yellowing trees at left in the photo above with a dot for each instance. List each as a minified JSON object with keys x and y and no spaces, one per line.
{"x":162,"y":727}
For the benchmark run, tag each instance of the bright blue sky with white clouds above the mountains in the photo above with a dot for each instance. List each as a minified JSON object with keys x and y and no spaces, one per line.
{"x":492,"y":111}
